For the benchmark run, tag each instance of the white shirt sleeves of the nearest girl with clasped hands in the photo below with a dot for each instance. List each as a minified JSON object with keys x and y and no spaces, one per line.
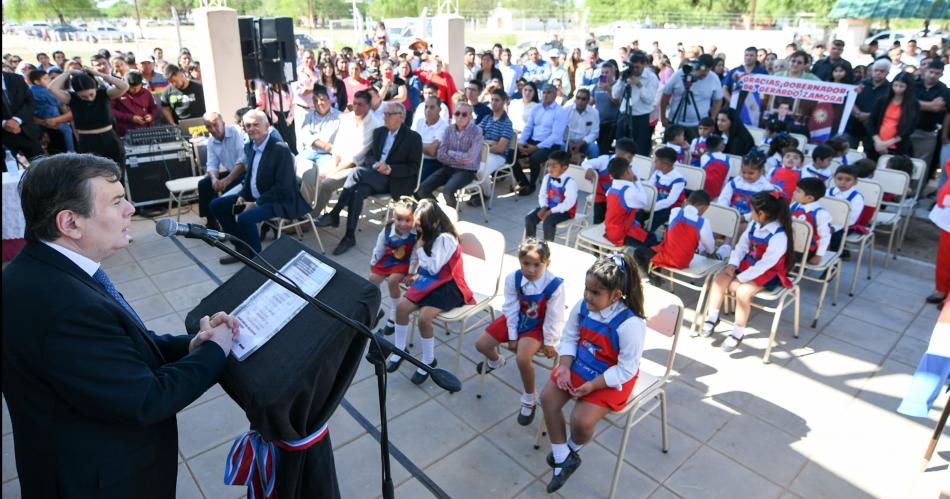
{"x":632,"y":334}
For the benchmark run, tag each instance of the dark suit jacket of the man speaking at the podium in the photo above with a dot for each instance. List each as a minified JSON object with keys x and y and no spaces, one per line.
{"x":92,"y":395}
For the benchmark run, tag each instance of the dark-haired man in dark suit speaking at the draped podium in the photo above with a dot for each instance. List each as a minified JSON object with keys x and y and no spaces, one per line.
{"x":92,"y":393}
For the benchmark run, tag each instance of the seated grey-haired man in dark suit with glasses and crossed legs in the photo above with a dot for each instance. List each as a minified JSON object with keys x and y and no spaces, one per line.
{"x":391,"y":165}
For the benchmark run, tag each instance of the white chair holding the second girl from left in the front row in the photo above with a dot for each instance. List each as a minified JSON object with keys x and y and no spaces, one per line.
{"x":483,"y":250}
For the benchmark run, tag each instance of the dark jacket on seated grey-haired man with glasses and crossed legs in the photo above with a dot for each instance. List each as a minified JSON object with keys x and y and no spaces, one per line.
{"x":404,"y":158}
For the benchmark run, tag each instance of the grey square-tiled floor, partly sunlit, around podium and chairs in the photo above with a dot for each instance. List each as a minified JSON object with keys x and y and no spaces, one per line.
{"x":818,"y":421}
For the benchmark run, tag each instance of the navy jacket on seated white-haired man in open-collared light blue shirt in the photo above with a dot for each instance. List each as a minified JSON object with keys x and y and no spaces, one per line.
{"x":276,"y":180}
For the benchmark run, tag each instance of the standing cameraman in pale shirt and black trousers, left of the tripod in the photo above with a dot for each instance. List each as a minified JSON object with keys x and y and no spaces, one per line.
{"x":636,"y":90}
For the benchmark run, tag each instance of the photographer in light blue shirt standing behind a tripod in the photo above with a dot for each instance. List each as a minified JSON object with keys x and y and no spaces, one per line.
{"x":695,"y":92}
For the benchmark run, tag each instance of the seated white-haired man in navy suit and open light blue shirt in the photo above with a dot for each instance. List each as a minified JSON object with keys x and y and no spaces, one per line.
{"x":269,"y":188}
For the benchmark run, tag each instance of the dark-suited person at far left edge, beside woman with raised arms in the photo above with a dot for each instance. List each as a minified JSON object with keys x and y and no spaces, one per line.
{"x":20,"y":134}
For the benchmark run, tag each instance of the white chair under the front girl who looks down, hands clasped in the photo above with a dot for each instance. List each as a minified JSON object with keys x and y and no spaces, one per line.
{"x":664,"y":313}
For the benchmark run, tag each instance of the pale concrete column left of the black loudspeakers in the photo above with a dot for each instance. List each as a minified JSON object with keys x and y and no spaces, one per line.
{"x":219,"y":51}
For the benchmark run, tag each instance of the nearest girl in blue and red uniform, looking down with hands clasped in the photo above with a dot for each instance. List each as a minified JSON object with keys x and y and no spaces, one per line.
{"x":600,"y":349}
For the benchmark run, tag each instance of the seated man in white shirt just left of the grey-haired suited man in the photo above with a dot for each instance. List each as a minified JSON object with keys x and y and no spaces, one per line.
{"x":352,"y":141}
